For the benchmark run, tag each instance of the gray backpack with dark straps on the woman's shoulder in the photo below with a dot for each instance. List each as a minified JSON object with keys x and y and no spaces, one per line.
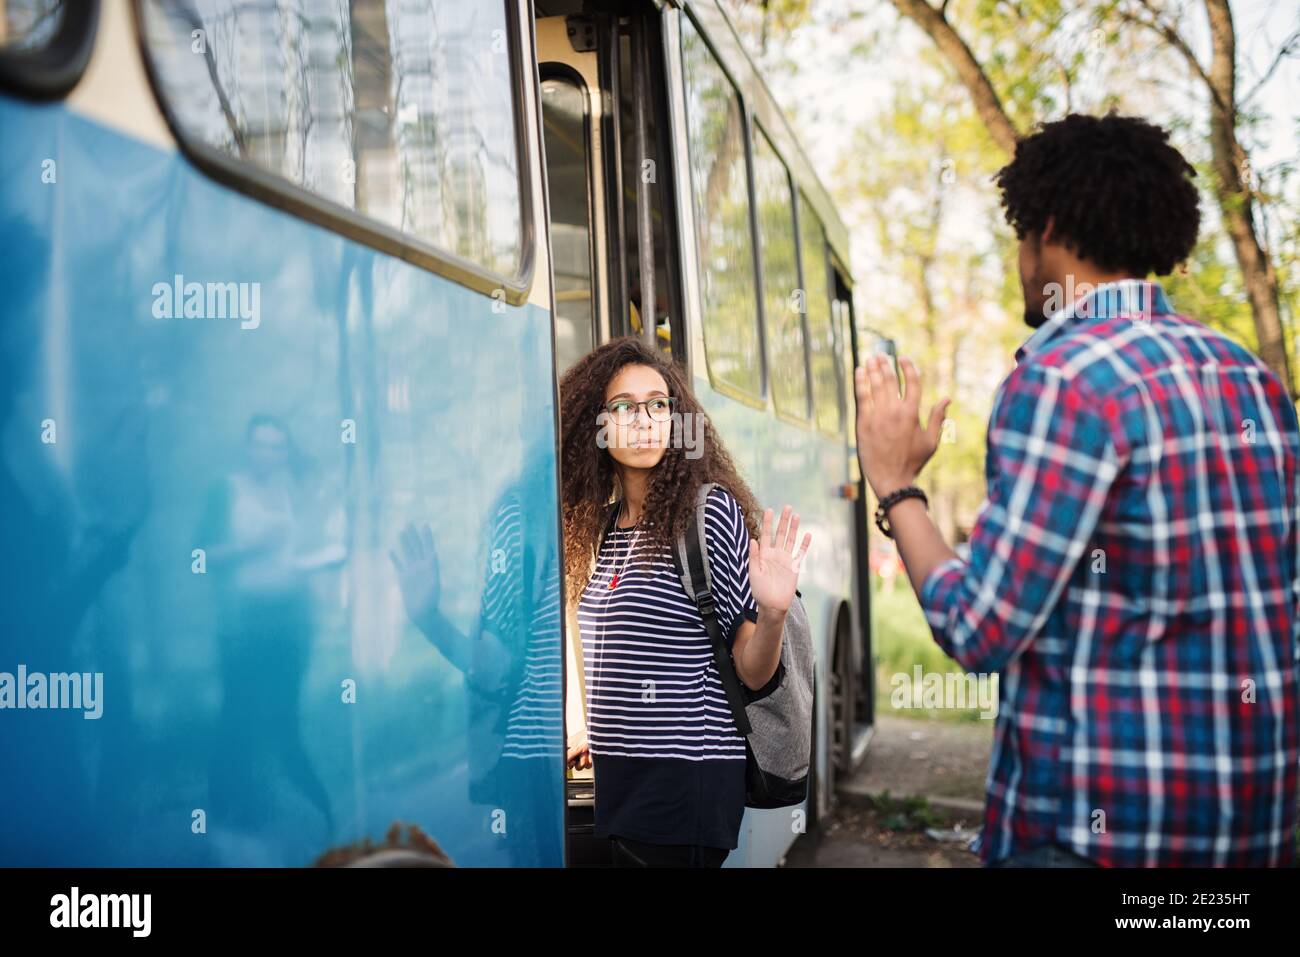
{"x":777,"y":720}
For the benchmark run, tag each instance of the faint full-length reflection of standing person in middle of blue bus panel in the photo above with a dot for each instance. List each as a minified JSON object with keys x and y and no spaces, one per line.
{"x":259,"y":529}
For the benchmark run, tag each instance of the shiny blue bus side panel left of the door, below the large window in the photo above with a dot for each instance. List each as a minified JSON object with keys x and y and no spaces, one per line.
{"x":205,"y":491}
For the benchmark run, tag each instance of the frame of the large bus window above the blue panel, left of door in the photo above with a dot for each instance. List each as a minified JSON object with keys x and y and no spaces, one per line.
{"x":276,"y":192}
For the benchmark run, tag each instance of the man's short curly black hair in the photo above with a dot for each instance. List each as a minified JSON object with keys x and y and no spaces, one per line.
{"x":1117,"y":193}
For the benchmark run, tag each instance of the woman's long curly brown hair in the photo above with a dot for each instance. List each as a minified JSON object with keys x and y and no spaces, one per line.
{"x":588,"y":474}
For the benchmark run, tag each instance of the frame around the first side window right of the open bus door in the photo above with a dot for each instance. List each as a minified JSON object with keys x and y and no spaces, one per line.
{"x":761,"y":399}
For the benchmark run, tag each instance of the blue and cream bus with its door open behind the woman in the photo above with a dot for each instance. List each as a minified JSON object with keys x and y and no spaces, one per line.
{"x":288,"y":288}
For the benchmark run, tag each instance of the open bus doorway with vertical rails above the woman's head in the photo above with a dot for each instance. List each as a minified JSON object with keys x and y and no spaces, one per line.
{"x":610,"y":185}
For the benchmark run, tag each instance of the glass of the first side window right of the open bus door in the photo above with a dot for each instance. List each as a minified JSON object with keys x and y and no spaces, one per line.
{"x":716,"y":135}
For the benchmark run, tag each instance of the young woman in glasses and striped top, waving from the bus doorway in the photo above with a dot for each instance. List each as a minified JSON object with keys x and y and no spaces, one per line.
{"x":669,"y":760}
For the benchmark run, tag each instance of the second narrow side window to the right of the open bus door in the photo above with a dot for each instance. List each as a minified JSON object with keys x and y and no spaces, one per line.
{"x":782,"y":295}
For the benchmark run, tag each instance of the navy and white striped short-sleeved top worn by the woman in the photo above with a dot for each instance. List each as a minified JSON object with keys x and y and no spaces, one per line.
{"x":669,"y":761}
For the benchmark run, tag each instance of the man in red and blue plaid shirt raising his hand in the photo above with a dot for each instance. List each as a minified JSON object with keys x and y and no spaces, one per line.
{"x":1133,"y":575}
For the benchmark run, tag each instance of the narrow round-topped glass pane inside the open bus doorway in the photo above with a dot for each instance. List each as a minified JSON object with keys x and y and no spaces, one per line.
{"x":567,"y":172}
